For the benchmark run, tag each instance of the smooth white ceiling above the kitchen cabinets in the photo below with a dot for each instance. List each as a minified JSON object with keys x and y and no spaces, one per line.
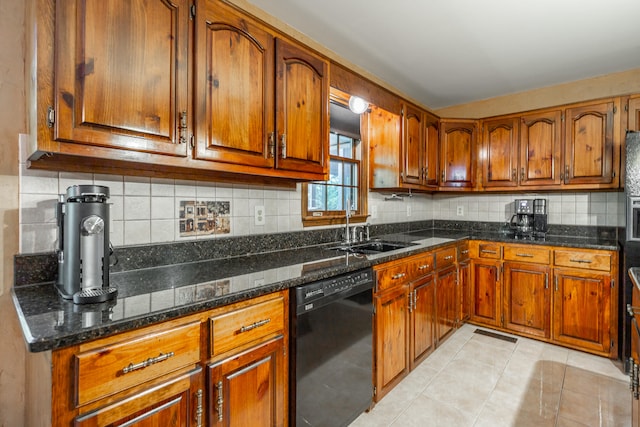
{"x":449,"y":52}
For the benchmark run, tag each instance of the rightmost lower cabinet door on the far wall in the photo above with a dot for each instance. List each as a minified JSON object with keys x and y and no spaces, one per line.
{"x":581,"y":309}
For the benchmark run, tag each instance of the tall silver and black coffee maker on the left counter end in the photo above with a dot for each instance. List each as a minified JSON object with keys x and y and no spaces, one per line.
{"x":83,"y":245}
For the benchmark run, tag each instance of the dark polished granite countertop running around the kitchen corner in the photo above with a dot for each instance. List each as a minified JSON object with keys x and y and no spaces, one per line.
{"x":155,"y":294}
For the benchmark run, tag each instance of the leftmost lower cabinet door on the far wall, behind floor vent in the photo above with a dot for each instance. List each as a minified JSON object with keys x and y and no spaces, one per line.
{"x":485,"y":292}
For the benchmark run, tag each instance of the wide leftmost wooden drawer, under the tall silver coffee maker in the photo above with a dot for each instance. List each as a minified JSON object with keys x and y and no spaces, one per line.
{"x":116,"y":367}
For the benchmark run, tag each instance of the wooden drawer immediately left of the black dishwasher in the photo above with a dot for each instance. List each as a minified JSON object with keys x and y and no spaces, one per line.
{"x":253,"y":323}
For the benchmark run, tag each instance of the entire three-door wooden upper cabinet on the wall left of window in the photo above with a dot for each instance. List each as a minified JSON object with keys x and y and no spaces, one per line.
{"x":136,"y":92}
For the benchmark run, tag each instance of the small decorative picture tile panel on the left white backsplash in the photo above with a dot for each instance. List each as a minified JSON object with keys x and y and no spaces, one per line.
{"x":201,"y":218}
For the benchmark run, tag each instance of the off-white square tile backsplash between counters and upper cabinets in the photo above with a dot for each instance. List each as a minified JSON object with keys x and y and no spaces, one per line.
{"x":148,"y":210}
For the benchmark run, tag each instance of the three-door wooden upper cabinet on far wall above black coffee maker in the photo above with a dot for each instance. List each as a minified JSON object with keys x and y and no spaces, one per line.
{"x":568,"y":147}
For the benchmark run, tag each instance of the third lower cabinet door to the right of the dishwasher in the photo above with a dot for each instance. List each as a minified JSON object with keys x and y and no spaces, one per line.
{"x":446,"y":307}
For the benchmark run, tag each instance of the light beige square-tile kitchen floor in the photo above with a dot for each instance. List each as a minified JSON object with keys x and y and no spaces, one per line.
{"x":476,"y":380}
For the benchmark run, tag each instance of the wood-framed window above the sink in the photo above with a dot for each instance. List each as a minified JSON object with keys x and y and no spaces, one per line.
{"x":325,"y":202}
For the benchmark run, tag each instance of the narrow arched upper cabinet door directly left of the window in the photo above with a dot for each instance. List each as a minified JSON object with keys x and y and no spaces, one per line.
{"x":302,"y":110}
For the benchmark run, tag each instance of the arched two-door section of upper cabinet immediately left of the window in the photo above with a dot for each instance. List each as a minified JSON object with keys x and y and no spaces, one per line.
{"x":261,"y":101}
